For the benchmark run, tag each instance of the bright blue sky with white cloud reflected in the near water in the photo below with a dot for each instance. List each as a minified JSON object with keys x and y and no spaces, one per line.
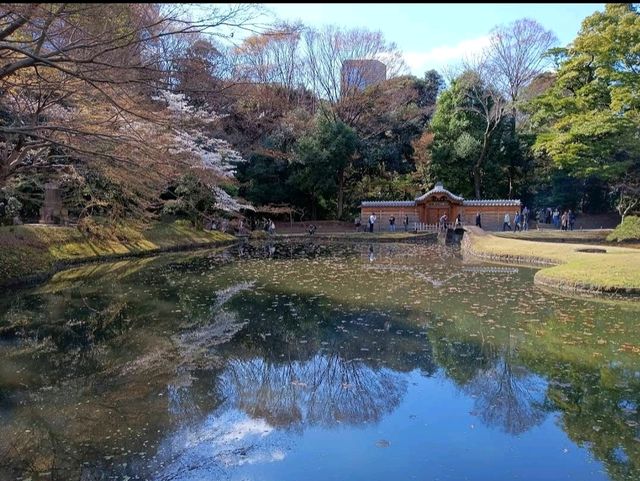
{"x":434,"y":433}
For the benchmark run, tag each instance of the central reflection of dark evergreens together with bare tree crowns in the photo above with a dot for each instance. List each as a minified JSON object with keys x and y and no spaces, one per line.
{"x":319,"y":365}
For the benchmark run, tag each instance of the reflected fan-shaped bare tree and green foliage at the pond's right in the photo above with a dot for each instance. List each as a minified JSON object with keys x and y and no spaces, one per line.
{"x":600,"y":409}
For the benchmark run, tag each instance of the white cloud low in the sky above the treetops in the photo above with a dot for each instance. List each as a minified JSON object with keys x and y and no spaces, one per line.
{"x":444,"y":55}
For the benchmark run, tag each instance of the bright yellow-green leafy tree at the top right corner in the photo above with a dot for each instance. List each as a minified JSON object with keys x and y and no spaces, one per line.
{"x":588,"y":120}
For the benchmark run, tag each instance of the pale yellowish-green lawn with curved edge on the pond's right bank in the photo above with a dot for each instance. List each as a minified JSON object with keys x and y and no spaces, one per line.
{"x":616,"y":270}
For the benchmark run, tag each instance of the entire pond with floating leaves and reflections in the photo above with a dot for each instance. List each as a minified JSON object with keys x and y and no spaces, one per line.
{"x":307,"y":360}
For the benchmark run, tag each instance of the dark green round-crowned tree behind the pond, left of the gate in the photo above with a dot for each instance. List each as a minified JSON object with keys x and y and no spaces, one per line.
{"x":324,"y":157}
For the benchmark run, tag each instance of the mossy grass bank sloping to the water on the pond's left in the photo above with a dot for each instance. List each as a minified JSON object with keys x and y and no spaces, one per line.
{"x":30,"y":250}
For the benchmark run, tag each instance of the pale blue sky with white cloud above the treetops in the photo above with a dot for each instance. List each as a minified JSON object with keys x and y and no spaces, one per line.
{"x":437,"y":35}
